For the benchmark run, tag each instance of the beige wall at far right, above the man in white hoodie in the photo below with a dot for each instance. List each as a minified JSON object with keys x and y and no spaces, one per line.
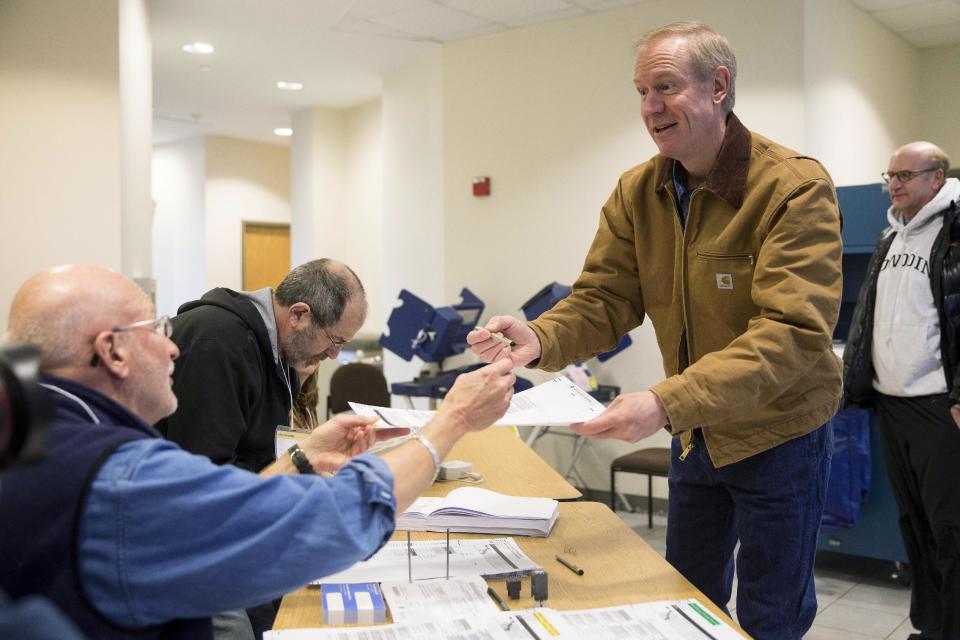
{"x":939,"y":98}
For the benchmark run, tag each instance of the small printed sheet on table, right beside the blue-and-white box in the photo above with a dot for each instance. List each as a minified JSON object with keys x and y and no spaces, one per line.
{"x":438,"y":599}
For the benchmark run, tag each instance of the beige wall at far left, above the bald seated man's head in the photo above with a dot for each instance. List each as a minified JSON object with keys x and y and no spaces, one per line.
{"x":60,"y":161}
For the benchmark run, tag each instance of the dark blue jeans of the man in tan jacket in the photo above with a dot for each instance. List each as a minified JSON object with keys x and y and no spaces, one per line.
{"x":772,"y":503}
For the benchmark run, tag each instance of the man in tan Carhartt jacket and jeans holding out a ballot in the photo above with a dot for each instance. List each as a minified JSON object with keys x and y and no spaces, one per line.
{"x":730,"y":243}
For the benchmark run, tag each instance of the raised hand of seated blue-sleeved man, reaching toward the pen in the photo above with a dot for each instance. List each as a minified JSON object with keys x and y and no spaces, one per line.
{"x":479,"y":398}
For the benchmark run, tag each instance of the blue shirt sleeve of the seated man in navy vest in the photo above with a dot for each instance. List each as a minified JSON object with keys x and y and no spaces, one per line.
{"x":165,"y":534}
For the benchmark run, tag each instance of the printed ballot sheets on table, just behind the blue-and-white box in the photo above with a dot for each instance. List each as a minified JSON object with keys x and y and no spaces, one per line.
{"x":489,"y":557}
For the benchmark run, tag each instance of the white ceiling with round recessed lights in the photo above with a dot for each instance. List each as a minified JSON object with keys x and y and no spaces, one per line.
{"x":341,"y":49}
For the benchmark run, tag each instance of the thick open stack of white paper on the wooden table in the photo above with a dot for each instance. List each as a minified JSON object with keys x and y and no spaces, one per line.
{"x":473,"y":510}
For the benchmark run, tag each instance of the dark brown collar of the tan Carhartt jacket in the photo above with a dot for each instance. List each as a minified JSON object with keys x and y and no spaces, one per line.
{"x":728,"y":177}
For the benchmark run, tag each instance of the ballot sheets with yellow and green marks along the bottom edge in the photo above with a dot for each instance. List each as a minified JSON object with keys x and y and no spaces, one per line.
{"x":665,"y":620}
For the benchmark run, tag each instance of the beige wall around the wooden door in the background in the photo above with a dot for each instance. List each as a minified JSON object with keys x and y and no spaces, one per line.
{"x":245,"y":181}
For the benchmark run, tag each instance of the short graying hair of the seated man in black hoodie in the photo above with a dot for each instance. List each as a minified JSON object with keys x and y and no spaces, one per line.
{"x":324,"y":285}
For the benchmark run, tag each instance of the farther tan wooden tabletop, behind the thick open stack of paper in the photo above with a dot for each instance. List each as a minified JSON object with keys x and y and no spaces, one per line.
{"x":508,"y":466}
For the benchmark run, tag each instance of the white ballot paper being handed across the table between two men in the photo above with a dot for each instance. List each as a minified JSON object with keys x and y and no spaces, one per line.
{"x":558,"y":402}
